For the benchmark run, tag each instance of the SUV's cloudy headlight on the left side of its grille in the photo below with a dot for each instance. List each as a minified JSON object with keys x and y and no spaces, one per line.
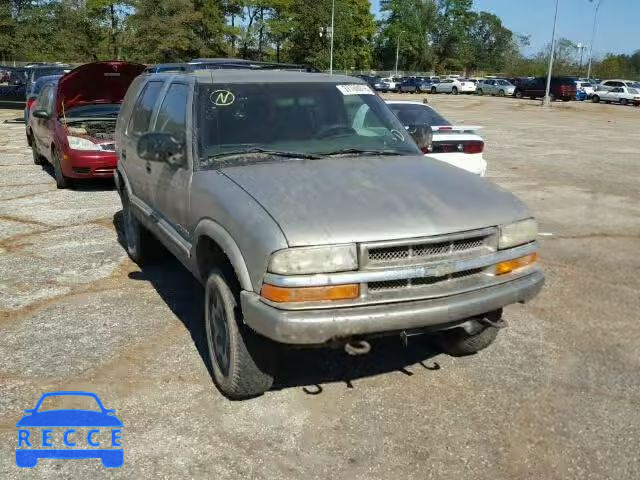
{"x":295,"y":261}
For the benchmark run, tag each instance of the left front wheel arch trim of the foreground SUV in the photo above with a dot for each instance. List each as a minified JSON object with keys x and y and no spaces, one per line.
{"x":213,"y":245}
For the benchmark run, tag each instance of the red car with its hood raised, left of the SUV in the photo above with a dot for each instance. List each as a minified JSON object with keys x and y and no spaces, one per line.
{"x":73,"y":123}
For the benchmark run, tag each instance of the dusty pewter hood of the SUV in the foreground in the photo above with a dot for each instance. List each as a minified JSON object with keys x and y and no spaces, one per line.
{"x":342,"y":200}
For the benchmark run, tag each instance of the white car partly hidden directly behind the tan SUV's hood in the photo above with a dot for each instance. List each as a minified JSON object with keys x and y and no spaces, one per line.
{"x":459,"y":145}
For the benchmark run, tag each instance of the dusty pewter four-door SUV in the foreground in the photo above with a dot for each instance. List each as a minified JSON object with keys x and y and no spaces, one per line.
{"x":307,"y":228}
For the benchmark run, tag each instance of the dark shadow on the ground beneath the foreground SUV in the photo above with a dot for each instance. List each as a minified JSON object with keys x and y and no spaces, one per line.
{"x":310,"y":367}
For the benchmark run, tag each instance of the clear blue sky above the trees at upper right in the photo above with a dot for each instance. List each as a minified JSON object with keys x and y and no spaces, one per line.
{"x":617,"y":31}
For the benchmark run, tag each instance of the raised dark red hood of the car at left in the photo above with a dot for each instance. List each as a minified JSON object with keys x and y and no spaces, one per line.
{"x":99,"y":82}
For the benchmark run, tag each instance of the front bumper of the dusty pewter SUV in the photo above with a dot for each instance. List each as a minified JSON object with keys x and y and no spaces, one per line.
{"x":307,"y":327}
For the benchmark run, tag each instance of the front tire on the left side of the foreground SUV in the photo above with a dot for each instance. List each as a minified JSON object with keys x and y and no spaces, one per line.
{"x":242,"y":362}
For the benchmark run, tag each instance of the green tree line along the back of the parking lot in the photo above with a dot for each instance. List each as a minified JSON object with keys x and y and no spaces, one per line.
{"x":426,"y":35}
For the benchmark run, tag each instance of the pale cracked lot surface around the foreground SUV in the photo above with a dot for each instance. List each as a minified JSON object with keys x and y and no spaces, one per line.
{"x":557,"y":397}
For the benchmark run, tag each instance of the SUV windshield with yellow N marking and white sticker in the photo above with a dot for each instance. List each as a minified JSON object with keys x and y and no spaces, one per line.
{"x":304,"y":118}
